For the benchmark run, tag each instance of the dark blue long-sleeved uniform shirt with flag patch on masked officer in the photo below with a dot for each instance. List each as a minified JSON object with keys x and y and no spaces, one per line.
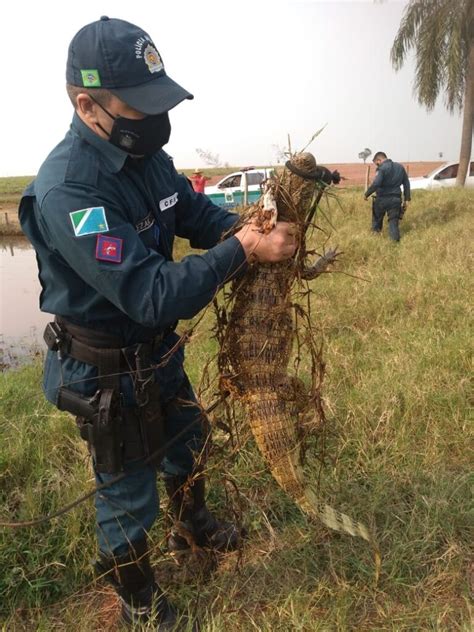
{"x":103,"y":225}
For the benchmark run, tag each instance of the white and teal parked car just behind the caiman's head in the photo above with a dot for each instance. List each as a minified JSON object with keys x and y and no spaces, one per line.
{"x":229,"y":192}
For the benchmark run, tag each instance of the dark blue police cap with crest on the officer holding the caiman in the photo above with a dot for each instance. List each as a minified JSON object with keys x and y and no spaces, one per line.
{"x":121,"y":57}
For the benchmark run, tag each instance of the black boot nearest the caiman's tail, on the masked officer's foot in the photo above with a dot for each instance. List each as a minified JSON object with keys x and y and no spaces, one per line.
{"x":194,"y":523}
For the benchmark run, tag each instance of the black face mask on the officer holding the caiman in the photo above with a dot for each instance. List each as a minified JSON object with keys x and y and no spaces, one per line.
{"x":139,"y":137}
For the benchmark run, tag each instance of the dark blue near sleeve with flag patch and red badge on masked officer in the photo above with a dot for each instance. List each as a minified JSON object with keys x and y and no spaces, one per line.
{"x":137,"y":279}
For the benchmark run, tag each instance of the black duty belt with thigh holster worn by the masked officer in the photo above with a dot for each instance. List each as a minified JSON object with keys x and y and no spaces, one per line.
{"x":114,"y":434}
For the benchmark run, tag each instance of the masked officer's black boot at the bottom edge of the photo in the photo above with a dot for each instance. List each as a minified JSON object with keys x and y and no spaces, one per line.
{"x":142,"y":599}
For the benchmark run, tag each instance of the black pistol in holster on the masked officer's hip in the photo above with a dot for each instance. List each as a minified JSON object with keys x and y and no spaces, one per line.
{"x":100,"y":424}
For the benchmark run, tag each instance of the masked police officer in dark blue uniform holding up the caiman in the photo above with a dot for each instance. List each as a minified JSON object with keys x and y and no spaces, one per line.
{"x":102,"y":215}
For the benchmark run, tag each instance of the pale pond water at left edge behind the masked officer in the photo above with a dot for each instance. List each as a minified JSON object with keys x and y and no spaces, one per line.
{"x":21,"y":322}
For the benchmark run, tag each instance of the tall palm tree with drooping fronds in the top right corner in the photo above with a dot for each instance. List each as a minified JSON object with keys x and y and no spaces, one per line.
{"x":442,"y":34}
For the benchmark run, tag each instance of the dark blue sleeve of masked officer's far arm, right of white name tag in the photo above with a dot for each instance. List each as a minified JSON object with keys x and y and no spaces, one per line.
{"x":198,"y":219}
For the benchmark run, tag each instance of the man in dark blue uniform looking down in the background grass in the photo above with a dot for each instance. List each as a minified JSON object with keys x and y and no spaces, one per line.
{"x":386,"y":184}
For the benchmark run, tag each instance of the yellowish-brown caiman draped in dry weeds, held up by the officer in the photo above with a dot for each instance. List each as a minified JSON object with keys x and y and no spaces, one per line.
{"x":259,"y":336}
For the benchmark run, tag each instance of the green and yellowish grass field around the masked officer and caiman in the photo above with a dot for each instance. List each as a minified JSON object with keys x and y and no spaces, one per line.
{"x":396,"y":321}
